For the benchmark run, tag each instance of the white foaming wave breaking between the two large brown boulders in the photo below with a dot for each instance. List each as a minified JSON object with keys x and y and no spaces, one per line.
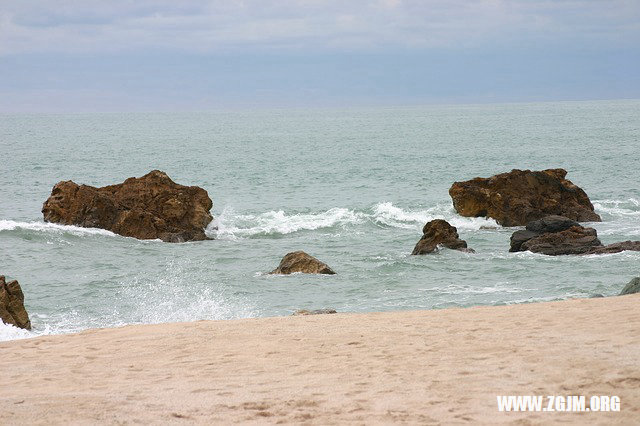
{"x":231,"y":225}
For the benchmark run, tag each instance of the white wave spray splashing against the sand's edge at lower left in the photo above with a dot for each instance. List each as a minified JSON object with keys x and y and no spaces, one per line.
{"x":178,"y":292}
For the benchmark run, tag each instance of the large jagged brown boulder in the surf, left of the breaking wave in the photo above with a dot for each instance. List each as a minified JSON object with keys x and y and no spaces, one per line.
{"x":149,"y":207}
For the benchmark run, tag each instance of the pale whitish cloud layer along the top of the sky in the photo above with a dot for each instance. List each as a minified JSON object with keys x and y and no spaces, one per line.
{"x":307,"y":25}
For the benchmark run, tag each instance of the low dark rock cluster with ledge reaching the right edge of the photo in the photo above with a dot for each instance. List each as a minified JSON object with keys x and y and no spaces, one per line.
{"x":557,"y":235}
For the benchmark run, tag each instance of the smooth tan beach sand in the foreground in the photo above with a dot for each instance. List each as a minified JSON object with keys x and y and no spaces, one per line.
{"x":443,"y":366}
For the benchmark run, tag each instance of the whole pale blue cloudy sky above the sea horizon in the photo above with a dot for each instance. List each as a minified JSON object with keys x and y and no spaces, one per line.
{"x":141,"y":55}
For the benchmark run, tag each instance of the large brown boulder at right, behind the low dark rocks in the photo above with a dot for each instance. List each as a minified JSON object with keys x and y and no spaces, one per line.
{"x":520,"y":196}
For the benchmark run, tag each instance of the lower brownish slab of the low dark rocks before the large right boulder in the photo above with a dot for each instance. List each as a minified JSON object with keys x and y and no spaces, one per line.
{"x":575,"y":240}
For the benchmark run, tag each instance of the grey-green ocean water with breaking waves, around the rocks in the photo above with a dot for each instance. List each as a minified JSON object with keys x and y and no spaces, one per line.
{"x":352,"y":187}
